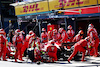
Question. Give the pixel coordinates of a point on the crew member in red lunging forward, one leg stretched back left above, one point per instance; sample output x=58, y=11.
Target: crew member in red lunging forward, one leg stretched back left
x=81, y=47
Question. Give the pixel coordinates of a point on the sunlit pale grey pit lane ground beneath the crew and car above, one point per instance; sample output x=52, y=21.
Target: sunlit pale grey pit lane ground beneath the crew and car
x=91, y=62
